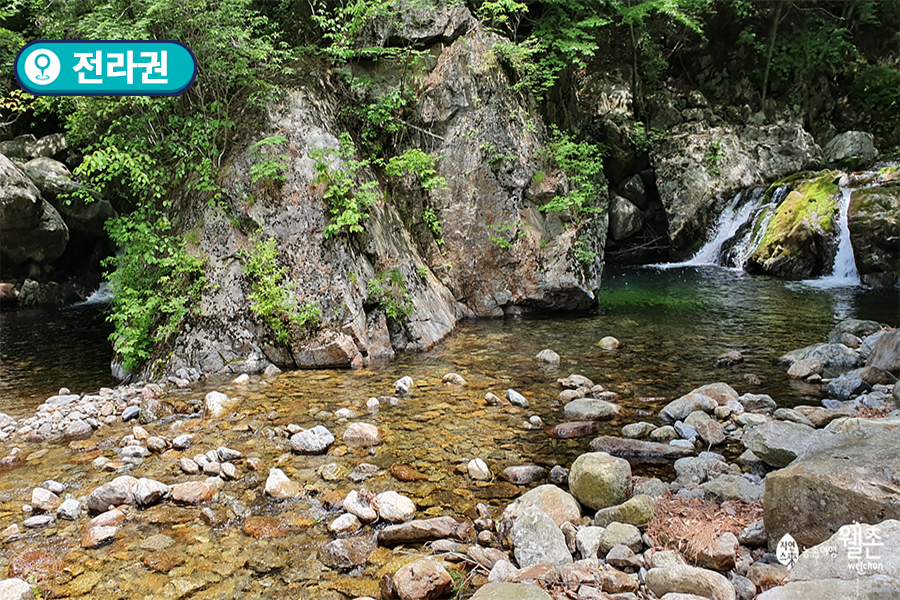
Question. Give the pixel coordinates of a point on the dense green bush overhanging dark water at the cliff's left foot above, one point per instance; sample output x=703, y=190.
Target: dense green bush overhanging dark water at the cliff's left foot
x=154, y=280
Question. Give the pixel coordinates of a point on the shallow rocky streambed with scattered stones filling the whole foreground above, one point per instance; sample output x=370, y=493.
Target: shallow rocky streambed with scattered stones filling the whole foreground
x=313, y=485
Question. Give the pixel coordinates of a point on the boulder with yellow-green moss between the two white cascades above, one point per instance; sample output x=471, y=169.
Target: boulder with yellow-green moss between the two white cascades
x=800, y=240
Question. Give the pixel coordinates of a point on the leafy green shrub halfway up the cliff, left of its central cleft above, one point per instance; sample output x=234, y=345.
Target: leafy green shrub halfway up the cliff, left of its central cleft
x=347, y=202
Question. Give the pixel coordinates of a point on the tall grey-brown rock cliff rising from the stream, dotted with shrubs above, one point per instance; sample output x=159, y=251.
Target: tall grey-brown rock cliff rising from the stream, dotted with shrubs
x=499, y=253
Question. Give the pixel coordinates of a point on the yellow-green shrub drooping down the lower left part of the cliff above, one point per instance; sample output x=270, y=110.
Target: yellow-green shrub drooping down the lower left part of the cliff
x=270, y=298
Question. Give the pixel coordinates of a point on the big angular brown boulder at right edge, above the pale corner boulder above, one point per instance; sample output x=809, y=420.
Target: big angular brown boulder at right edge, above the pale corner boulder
x=852, y=480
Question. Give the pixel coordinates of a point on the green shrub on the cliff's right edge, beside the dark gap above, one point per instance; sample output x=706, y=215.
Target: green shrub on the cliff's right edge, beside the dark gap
x=583, y=165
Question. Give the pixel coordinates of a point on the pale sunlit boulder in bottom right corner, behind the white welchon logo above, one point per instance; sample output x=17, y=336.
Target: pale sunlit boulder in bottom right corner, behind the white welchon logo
x=858, y=561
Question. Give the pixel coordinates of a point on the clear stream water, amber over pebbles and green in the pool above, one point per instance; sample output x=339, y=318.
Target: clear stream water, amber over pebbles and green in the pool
x=672, y=324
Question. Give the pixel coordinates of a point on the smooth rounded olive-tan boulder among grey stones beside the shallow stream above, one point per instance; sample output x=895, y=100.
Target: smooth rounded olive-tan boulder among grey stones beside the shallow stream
x=599, y=480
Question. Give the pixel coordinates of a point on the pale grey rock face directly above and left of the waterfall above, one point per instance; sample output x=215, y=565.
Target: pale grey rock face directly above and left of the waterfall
x=690, y=180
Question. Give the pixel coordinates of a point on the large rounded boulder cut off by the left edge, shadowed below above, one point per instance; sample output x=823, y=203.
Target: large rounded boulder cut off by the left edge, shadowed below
x=32, y=229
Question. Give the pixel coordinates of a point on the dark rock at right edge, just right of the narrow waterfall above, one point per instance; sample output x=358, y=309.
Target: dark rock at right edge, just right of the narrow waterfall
x=874, y=222
